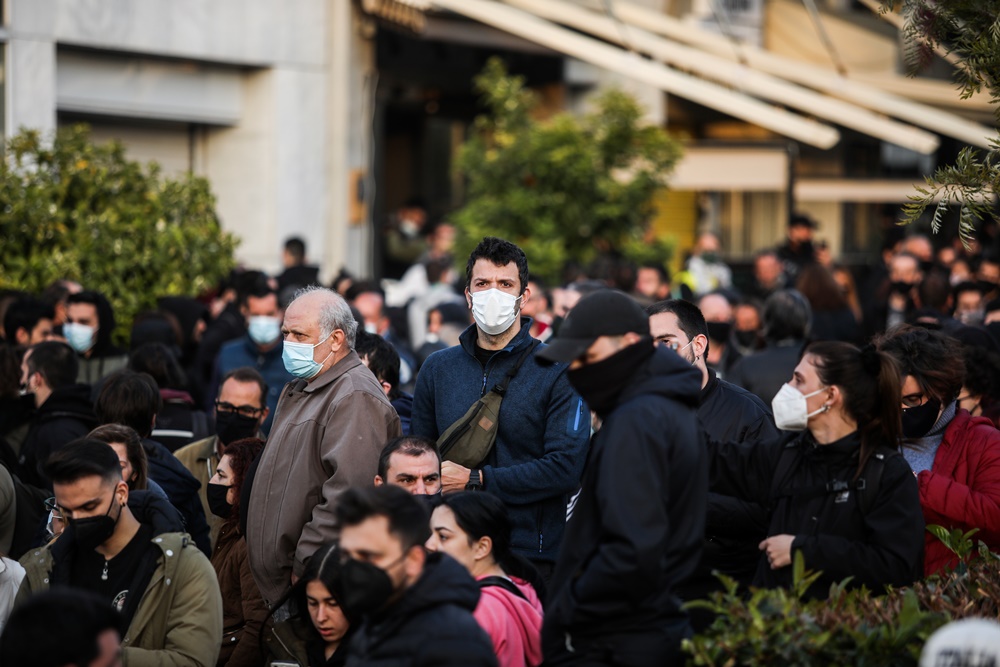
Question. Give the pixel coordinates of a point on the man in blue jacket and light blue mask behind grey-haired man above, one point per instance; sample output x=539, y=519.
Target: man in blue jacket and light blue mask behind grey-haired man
x=259, y=348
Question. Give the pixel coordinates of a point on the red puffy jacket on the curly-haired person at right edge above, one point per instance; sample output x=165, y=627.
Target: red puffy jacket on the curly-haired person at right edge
x=962, y=488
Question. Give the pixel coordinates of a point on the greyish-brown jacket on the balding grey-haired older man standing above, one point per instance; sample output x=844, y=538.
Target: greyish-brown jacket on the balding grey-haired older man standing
x=327, y=436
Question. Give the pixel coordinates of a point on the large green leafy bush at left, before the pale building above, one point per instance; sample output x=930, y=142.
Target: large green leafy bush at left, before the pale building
x=73, y=209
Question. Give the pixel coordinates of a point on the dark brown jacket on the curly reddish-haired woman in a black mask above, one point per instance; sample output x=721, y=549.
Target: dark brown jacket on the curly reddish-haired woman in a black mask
x=243, y=610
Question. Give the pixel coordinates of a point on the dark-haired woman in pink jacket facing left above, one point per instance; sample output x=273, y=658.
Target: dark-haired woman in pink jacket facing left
x=474, y=529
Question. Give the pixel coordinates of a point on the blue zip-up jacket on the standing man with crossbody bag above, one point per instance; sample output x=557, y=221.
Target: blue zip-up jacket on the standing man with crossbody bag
x=542, y=439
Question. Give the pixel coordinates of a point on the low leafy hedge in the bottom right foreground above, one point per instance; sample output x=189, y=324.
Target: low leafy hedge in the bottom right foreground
x=778, y=627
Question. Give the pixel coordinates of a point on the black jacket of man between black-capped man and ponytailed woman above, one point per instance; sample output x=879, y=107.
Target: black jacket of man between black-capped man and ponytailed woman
x=734, y=527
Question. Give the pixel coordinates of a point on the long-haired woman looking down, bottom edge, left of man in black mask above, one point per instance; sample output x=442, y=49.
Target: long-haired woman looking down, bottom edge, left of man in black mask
x=321, y=639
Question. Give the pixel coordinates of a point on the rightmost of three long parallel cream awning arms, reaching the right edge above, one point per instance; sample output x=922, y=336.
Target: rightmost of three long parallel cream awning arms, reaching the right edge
x=811, y=76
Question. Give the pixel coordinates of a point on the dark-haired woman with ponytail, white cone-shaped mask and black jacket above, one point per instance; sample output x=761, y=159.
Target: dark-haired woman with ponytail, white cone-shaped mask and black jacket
x=835, y=487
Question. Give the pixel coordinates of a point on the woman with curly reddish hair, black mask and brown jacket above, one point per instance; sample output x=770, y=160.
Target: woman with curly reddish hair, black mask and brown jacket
x=243, y=609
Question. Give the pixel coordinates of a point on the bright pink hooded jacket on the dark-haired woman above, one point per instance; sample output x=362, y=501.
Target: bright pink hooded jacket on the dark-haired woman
x=513, y=624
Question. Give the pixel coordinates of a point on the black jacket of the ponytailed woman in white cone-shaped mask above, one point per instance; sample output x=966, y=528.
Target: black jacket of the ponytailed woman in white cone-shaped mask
x=878, y=547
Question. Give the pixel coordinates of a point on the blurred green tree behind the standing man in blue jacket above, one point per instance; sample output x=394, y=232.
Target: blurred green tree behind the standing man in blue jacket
x=567, y=188
